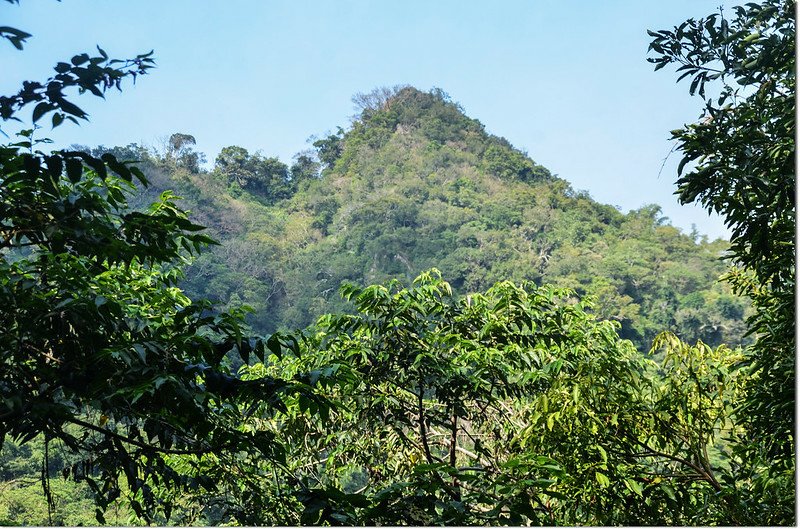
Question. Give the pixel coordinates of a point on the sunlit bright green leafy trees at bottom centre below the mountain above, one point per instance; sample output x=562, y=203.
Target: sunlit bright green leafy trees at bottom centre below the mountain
x=515, y=406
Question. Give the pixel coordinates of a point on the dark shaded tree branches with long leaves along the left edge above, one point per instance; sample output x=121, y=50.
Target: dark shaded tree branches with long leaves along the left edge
x=101, y=353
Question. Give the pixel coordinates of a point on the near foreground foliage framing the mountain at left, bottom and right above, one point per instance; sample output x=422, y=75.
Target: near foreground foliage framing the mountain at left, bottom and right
x=514, y=406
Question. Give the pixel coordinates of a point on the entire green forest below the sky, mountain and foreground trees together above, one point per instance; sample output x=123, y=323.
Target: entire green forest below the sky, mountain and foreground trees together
x=412, y=322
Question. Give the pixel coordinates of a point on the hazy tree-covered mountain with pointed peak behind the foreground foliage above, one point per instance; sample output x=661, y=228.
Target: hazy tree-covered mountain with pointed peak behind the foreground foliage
x=414, y=184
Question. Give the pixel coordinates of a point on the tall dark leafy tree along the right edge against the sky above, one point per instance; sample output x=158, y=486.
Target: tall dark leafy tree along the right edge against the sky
x=739, y=160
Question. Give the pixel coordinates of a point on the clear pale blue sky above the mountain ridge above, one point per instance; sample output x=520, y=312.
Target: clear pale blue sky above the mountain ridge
x=565, y=80
